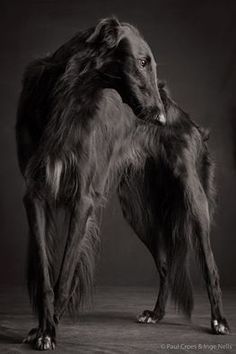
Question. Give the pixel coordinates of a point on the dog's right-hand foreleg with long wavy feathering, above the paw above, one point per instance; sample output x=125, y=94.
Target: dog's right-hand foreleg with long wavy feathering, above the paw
x=75, y=280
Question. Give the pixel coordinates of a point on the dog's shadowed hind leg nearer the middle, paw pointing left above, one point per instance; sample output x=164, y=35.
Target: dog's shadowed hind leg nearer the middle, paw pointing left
x=138, y=214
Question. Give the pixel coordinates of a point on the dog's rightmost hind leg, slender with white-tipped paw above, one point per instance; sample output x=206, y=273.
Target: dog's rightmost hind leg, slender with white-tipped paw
x=201, y=229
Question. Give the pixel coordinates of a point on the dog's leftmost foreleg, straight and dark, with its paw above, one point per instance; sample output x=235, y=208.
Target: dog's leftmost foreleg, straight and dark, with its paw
x=39, y=282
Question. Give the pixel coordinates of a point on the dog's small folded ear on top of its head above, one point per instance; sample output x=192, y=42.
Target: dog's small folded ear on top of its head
x=106, y=32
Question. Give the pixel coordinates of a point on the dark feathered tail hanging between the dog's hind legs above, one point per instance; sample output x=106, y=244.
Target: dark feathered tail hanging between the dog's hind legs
x=178, y=267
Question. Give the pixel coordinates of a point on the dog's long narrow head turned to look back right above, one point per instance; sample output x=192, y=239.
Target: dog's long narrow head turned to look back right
x=127, y=64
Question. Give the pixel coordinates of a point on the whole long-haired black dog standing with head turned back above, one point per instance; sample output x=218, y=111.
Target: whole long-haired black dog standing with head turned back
x=87, y=118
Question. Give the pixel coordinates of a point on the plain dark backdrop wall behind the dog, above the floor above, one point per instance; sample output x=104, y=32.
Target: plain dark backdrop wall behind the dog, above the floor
x=194, y=43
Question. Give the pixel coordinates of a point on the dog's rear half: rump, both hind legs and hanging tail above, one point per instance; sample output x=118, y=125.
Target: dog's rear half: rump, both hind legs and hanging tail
x=170, y=204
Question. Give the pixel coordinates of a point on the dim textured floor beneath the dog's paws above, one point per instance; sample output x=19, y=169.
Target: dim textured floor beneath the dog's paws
x=110, y=327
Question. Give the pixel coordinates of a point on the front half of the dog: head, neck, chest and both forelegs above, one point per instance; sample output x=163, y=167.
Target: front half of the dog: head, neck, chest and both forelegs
x=81, y=121
